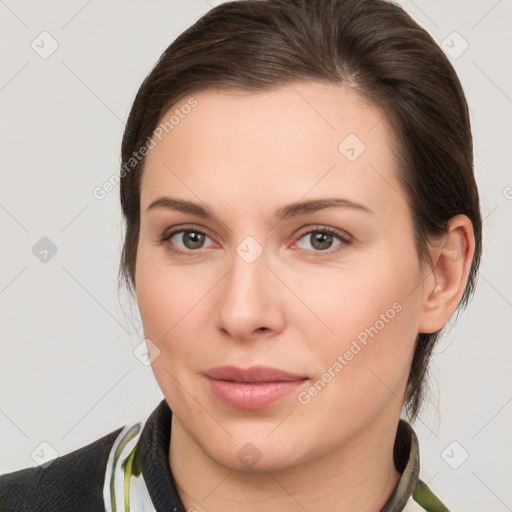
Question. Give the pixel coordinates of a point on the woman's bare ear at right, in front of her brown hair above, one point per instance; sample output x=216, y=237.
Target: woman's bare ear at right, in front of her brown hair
x=451, y=257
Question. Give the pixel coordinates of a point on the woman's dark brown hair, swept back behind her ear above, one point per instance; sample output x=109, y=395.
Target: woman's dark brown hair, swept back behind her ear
x=375, y=48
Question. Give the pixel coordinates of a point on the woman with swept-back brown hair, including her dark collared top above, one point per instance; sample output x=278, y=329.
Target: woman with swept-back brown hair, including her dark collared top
x=302, y=220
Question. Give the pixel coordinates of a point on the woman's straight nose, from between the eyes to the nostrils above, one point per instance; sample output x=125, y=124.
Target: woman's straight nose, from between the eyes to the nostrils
x=250, y=300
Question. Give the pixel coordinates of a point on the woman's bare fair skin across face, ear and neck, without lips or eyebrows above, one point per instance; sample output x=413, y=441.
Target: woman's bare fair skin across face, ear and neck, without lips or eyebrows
x=243, y=155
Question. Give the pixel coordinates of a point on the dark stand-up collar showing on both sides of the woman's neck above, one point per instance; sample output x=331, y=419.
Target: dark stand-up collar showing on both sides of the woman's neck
x=154, y=450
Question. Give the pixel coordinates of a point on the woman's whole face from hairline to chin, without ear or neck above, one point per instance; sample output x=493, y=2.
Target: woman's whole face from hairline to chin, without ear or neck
x=250, y=286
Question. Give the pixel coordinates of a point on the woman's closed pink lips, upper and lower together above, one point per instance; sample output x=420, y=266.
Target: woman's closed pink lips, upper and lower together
x=253, y=388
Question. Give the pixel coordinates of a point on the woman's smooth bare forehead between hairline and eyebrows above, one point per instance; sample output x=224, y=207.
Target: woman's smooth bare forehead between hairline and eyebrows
x=291, y=139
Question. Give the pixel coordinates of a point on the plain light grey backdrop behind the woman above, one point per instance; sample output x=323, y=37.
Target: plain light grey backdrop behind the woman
x=68, y=373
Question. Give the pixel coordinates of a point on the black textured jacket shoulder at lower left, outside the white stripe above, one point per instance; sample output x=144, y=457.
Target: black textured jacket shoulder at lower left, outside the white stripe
x=70, y=482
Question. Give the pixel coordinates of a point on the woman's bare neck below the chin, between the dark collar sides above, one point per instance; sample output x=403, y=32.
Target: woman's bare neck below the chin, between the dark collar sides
x=338, y=480
